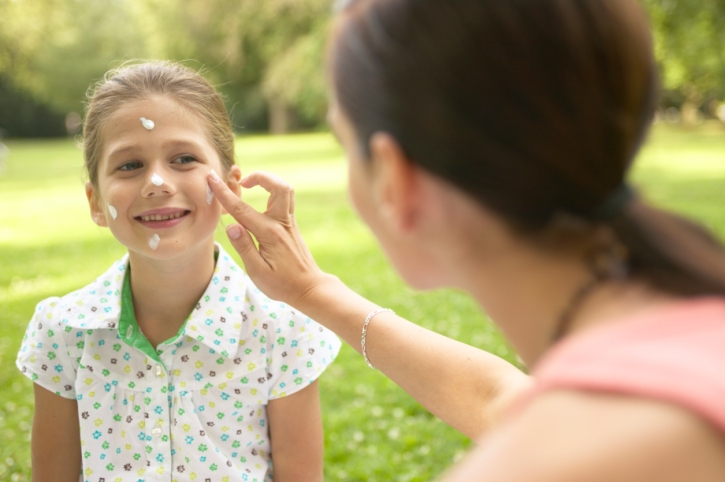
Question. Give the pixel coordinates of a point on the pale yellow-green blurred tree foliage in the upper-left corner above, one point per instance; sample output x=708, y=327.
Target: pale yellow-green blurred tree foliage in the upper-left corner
x=51, y=50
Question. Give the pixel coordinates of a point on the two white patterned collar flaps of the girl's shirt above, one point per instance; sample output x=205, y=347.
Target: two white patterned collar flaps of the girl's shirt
x=216, y=320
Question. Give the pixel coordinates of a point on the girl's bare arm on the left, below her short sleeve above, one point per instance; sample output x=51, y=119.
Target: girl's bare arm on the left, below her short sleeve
x=56, y=439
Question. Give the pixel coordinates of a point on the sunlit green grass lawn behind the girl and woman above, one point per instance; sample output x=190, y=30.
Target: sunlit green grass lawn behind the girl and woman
x=374, y=431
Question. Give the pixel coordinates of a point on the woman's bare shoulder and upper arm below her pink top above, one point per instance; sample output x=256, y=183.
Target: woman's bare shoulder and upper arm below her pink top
x=570, y=436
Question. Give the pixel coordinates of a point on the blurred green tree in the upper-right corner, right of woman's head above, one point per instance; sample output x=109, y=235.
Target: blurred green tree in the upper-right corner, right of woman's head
x=689, y=39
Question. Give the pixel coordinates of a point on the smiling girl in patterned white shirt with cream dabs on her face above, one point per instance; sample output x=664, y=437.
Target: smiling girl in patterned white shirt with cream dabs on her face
x=172, y=365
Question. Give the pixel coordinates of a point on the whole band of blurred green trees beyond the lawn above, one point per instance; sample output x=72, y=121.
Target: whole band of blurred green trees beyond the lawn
x=265, y=56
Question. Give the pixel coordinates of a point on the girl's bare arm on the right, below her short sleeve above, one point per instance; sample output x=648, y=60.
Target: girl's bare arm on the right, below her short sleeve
x=295, y=426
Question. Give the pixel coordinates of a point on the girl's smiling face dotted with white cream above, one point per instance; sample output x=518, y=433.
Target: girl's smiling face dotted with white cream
x=152, y=183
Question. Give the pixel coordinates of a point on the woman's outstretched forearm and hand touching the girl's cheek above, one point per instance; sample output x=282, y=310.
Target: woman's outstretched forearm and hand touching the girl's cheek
x=466, y=387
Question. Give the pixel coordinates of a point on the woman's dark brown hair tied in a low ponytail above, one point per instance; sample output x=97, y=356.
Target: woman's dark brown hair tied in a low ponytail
x=535, y=108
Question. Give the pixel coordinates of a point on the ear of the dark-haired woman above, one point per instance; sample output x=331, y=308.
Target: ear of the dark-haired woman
x=397, y=185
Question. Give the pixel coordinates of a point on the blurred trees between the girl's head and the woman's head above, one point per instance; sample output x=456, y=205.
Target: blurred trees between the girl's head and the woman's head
x=266, y=56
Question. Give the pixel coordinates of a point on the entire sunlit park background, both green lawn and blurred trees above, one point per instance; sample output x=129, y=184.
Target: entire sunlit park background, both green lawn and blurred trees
x=267, y=58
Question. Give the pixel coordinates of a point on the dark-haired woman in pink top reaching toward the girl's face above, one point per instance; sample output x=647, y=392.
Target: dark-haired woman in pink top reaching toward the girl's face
x=488, y=143
